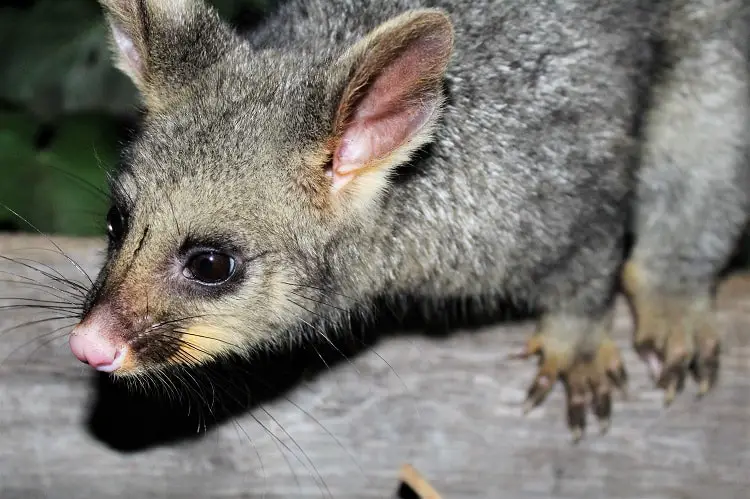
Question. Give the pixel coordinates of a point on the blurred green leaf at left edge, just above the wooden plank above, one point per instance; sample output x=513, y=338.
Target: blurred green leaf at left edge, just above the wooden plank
x=60, y=188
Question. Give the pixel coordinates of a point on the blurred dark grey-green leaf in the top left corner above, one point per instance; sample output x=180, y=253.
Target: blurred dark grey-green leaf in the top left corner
x=56, y=59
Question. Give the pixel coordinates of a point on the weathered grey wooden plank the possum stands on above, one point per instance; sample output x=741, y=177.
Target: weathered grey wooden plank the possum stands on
x=449, y=406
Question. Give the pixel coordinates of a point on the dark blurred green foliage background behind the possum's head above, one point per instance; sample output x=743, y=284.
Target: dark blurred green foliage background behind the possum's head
x=64, y=110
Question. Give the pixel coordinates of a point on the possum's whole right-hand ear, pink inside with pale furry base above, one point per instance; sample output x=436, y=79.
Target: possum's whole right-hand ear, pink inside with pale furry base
x=391, y=100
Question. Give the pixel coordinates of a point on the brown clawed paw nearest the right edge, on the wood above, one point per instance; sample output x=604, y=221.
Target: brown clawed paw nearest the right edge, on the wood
x=675, y=335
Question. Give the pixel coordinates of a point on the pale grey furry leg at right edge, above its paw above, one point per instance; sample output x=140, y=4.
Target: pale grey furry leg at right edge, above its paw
x=693, y=184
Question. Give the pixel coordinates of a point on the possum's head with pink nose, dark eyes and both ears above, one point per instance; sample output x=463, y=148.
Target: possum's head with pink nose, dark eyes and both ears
x=247, y=166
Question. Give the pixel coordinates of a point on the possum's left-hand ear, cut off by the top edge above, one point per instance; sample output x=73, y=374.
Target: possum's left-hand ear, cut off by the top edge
x=163, y=44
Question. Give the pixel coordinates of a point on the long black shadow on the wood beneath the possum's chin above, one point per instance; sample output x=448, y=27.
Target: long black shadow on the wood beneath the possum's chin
x=130, y=416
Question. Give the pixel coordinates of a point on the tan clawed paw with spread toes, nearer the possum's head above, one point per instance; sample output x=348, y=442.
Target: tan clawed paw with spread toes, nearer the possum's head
x=590, y=369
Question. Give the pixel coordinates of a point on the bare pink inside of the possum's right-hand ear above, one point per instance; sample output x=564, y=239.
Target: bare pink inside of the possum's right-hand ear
x=391, y=112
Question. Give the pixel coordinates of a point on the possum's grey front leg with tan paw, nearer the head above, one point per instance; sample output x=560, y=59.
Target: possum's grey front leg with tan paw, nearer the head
x=573, y=345
